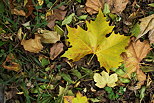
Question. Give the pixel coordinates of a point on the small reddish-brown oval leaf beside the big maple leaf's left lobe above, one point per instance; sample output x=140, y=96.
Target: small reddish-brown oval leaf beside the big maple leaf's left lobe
x=55, y=50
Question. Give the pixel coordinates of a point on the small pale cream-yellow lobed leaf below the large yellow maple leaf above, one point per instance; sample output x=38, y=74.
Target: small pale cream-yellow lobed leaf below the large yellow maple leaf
x=104, y=79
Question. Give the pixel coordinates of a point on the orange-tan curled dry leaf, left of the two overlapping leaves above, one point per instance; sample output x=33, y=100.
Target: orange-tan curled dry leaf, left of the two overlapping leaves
x=32, y=45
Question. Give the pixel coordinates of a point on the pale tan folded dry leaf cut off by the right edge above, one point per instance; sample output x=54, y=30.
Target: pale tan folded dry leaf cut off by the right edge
x=147, y=25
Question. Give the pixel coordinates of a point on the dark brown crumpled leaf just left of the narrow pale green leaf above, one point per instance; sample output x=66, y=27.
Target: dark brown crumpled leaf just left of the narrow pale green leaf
x=56, y=14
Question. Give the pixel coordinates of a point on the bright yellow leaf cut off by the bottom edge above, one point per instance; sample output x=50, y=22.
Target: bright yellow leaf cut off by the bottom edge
x=80, y=98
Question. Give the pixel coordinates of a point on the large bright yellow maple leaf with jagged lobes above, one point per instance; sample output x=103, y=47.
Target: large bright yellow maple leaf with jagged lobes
x=94, y=40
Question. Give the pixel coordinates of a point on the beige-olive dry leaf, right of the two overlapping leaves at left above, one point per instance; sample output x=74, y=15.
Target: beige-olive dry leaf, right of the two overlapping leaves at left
x=49, y=36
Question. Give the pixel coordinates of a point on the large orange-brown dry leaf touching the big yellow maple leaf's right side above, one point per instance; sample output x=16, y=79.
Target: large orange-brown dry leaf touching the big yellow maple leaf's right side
x=136, y=51
